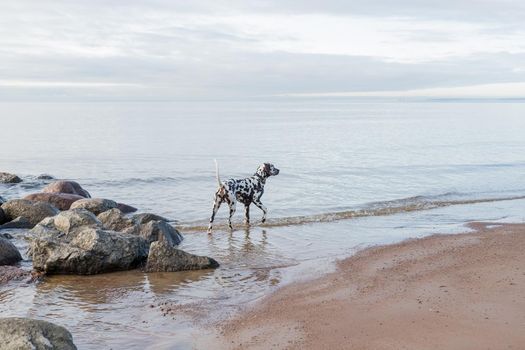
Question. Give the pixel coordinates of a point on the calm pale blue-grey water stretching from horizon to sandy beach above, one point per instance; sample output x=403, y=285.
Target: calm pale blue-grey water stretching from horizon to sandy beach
x=352, y=175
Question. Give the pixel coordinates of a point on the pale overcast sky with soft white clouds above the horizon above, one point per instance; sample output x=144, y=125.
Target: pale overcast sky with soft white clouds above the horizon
x=169, y=50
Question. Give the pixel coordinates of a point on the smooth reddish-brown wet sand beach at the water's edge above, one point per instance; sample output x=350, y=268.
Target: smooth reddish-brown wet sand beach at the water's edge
x=462, y=291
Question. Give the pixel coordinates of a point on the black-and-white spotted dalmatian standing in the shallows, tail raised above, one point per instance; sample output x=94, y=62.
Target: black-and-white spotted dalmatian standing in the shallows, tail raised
x=246, y=191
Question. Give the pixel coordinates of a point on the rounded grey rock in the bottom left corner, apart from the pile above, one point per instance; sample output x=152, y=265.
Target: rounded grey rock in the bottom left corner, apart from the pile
x=27, y=334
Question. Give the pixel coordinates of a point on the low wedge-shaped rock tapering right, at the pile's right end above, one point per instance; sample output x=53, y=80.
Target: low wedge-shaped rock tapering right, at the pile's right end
x=163, y=257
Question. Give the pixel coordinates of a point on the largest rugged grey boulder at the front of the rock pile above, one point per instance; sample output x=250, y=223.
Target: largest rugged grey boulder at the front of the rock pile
x=87, y=251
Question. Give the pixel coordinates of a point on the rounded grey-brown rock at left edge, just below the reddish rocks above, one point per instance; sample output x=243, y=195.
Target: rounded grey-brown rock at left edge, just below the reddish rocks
x=34, y=212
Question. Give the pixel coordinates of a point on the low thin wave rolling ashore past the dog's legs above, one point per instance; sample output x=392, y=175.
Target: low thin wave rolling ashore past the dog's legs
x=404, y=205
